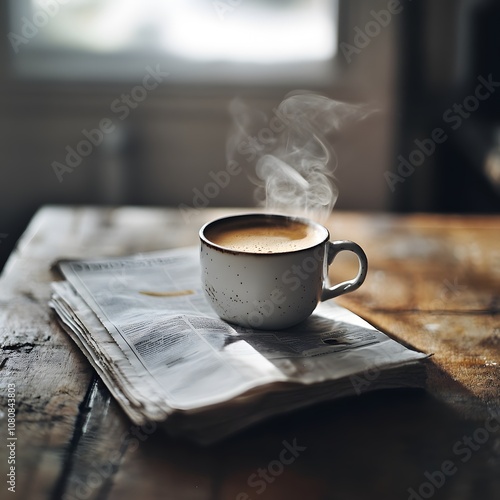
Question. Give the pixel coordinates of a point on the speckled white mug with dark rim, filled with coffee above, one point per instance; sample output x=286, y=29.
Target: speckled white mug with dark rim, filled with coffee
x=268, y=271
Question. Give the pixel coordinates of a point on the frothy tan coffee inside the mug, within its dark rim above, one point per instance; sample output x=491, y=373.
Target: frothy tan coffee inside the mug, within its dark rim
x=265, y=236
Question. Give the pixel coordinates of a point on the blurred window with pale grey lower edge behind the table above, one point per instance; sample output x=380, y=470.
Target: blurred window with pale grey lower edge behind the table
x=198, y=41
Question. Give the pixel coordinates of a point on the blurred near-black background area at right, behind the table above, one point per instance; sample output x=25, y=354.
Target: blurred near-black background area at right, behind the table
x=446, y=51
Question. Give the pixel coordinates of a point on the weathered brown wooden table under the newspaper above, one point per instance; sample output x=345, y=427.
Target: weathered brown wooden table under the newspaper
x=433, y=283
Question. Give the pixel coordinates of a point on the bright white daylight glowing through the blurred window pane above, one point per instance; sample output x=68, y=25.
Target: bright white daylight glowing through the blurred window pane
x=244, y=31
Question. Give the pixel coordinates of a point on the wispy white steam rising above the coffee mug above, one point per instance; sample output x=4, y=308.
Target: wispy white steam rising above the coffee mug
x=291, y=151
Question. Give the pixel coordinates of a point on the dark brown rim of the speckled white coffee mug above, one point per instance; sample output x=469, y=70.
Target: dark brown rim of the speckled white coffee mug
x=262, y=215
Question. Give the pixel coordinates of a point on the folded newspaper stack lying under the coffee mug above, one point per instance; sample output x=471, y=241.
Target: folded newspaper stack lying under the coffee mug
x=145, y=326
